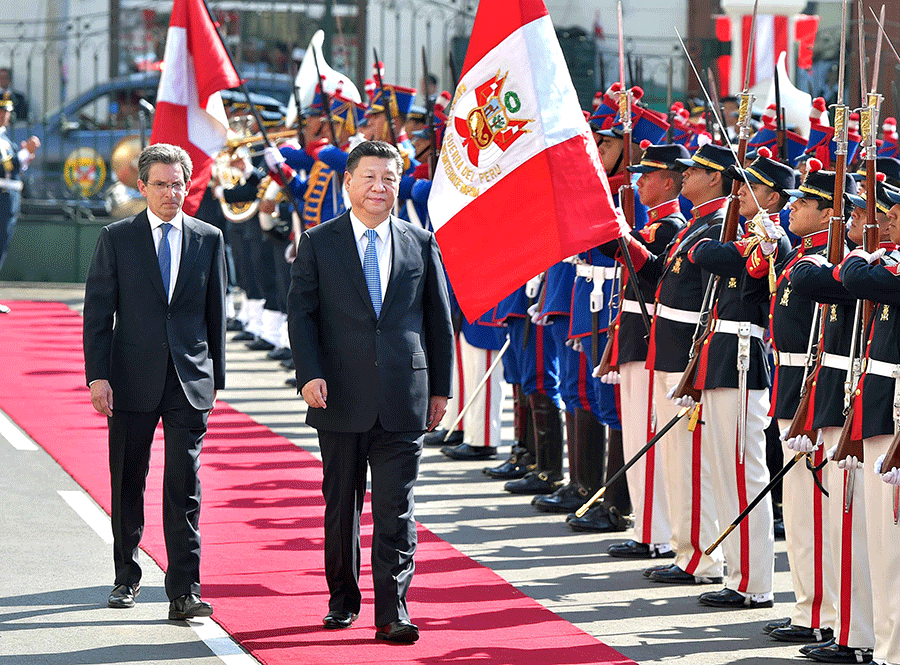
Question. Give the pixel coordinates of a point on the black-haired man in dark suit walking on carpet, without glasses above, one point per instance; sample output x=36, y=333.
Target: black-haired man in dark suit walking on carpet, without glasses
x=370, y=331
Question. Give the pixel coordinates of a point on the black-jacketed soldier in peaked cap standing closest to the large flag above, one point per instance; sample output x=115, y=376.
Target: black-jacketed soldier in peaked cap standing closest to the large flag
x=659, y=186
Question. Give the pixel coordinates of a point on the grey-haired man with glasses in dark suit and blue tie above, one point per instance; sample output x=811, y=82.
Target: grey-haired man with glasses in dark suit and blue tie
x=154, y=337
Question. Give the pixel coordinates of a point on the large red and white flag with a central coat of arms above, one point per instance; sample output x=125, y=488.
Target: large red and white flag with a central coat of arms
x=519, y=184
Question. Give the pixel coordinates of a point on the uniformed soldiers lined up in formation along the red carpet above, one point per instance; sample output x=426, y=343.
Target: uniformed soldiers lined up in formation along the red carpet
x=597, y=351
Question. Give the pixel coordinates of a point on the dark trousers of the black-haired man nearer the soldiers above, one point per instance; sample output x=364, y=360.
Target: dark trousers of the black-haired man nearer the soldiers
x=394, y=460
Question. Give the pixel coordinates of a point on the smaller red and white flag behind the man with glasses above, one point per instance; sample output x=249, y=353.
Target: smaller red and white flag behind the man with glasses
x=189, y=110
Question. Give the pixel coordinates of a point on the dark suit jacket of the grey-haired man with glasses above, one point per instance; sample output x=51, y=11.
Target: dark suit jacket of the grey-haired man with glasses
x=129, y=327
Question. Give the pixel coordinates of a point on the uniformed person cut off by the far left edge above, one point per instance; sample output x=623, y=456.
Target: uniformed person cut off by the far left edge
x=13, y=161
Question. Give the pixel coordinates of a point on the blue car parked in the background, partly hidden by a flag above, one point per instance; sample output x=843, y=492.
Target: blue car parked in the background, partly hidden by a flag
x=74, y=166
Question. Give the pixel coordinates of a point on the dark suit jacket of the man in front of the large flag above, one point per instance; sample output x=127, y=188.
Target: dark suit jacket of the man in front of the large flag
x=385, y=367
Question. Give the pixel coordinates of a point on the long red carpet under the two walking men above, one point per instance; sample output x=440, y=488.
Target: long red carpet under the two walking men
x=262, y=530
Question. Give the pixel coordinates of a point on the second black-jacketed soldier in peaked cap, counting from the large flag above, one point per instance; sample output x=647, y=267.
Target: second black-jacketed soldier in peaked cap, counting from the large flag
x=679, y=298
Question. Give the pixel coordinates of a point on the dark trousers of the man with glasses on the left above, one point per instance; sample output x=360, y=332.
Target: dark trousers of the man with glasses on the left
x=130, y=438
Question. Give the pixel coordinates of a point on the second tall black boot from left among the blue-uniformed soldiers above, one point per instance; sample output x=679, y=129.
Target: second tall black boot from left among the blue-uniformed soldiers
x=547, y=477
